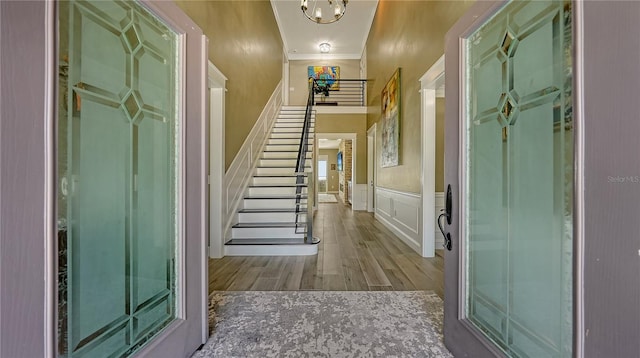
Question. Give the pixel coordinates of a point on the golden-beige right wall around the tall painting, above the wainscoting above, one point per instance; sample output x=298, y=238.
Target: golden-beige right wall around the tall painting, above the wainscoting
x=409, y=35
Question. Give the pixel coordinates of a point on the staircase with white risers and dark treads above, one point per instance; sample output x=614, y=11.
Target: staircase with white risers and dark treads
x=273, y=216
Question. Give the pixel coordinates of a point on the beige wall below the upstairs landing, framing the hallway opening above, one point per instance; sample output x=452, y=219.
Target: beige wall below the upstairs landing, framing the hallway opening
x=348, y=123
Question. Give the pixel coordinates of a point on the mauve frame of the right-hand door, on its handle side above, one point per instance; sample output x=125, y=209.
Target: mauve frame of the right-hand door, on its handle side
x=460, y=336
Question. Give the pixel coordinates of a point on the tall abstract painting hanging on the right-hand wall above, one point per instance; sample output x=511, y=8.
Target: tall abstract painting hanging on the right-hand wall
x=390, y=155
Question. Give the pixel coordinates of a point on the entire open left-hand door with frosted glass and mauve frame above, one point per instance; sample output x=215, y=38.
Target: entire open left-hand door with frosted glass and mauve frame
x=131, y=264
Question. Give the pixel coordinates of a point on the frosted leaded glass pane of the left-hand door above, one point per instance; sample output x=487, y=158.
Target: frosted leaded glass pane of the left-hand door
x=118, y=170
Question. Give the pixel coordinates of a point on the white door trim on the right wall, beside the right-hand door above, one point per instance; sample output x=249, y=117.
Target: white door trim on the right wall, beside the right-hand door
x=430, y=82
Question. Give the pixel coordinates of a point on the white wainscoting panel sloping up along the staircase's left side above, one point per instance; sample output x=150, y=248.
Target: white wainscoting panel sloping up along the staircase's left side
x=240, y=172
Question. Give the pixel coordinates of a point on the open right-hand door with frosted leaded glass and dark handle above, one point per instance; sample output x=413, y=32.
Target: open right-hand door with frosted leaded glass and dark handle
x=509, y=155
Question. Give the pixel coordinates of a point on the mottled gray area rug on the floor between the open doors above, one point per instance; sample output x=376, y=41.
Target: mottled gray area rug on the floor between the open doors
x=325, y=324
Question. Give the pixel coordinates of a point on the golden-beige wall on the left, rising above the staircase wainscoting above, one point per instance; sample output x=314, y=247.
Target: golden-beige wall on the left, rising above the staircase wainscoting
x=245, y=44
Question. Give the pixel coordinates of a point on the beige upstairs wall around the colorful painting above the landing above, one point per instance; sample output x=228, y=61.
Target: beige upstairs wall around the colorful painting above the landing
x=298, y=85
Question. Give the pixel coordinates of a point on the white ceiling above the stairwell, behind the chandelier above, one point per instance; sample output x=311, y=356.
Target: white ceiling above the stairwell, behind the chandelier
x=301, y=36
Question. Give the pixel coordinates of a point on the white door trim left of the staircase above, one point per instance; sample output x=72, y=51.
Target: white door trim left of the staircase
x=217, y=89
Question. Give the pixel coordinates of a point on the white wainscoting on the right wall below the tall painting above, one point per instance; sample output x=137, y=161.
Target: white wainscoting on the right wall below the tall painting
x=400, y=212
